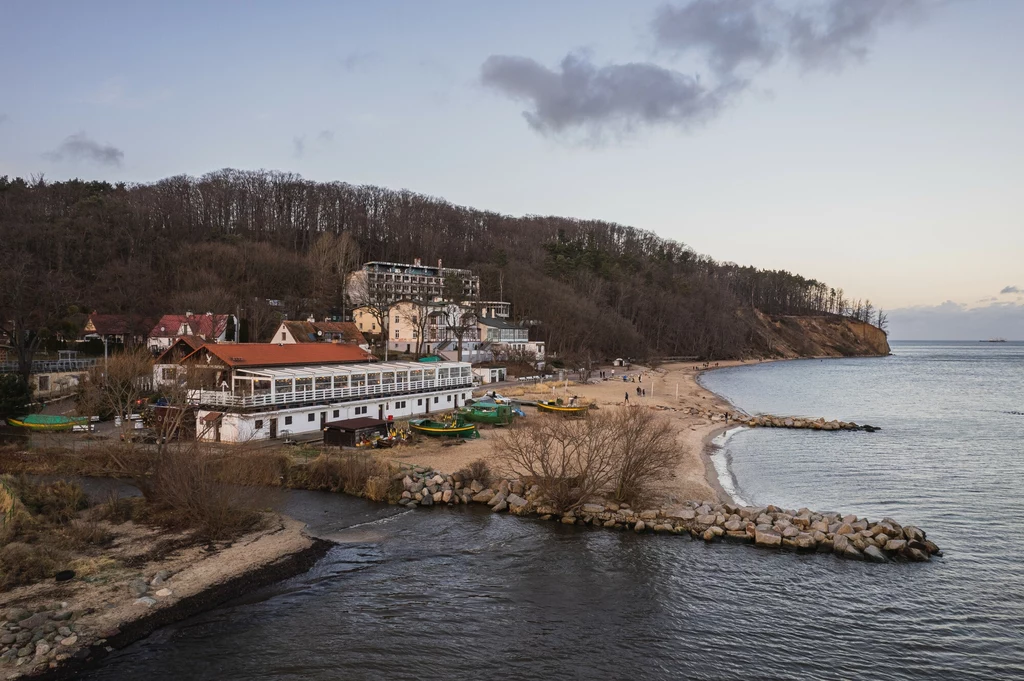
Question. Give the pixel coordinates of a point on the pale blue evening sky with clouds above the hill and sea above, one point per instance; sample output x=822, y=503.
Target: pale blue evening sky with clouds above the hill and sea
x=874, y=145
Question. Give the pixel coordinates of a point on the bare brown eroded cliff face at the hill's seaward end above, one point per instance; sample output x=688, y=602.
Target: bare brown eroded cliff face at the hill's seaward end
x=785, y=336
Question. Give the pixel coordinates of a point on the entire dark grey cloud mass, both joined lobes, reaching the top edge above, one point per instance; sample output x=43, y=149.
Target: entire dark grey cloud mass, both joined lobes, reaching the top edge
x=738, y=38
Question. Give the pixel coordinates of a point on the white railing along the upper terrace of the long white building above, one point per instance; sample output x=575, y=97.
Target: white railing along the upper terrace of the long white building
x=226, y=399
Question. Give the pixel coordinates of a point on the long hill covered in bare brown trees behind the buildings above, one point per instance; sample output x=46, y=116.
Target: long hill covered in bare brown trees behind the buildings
x=231, y=240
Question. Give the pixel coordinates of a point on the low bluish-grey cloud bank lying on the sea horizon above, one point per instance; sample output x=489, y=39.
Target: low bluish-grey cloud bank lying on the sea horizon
x=958, y=322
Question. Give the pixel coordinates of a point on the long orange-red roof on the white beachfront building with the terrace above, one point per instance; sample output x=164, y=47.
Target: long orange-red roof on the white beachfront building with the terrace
x=269, y=355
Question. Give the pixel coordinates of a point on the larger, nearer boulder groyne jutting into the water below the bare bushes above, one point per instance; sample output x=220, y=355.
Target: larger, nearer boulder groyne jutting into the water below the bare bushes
x=770, y=527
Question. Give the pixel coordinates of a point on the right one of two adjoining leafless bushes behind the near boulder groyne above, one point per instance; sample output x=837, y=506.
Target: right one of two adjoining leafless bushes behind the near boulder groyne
x=646, y=449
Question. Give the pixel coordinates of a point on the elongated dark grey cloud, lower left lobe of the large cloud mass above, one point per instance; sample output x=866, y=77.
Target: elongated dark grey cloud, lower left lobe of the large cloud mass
x=582, y=95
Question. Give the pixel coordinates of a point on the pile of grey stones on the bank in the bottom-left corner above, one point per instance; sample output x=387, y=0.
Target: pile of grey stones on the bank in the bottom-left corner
x=42, y=639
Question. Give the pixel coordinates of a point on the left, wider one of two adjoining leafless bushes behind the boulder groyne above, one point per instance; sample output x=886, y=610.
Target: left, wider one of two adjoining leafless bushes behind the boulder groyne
x=572, y=460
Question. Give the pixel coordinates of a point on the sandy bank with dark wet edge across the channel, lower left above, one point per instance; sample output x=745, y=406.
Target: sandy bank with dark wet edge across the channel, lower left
x=110, y=615
